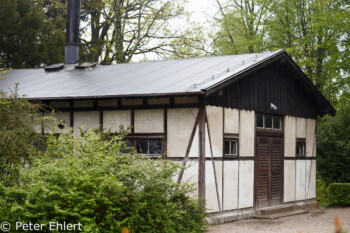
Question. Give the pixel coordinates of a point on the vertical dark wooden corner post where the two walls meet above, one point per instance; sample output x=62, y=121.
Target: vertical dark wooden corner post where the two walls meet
x=201, y=159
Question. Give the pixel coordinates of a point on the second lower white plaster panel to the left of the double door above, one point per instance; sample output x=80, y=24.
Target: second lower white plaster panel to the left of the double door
x=230, y=198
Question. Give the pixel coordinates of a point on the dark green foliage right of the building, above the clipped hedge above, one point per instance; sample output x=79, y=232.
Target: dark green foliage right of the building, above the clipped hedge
x=333, y=146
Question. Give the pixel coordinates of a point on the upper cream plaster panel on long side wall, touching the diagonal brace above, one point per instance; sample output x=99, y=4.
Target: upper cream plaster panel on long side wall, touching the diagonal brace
x=180, y=125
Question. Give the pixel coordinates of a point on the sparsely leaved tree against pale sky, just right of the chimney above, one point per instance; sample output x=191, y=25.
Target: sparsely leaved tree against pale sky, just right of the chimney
x=121, y=29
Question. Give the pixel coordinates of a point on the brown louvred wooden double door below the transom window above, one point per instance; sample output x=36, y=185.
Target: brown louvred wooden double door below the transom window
x=268, y=170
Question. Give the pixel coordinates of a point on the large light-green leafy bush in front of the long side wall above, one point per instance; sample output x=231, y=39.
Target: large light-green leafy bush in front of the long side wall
x=84, y=180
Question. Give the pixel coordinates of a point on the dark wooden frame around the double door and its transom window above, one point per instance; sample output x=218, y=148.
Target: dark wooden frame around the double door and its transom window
x=269, y=133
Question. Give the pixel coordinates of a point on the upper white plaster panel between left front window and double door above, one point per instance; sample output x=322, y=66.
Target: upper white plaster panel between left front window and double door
x=247, y=133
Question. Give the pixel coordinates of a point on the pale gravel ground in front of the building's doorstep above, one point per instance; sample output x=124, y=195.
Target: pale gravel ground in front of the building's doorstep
x=317, y=221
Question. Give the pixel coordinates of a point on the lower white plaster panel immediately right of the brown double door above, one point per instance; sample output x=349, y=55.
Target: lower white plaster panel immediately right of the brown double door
x=289, y=181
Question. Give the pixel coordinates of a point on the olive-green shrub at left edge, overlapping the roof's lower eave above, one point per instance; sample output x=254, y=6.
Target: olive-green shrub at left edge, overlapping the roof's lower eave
x=18, y=138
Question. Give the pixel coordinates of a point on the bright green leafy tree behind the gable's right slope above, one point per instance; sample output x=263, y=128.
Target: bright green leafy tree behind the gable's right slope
x=311, y=31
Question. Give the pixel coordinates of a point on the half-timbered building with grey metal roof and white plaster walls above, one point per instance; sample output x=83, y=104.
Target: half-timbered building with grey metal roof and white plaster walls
x=244, y=125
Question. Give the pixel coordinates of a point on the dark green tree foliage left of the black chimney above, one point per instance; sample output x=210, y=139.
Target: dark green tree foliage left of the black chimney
x=27, y=37
